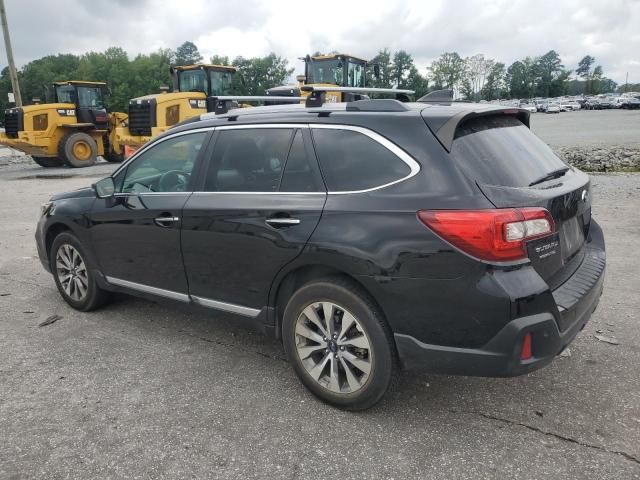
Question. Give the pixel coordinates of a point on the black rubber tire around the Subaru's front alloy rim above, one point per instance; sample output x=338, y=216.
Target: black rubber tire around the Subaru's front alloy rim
x=95, y=296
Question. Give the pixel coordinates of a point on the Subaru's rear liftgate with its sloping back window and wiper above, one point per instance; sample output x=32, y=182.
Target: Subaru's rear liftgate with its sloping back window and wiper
x=514, y=168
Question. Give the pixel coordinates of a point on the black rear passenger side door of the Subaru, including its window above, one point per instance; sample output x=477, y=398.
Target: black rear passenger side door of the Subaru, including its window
x=259, y=202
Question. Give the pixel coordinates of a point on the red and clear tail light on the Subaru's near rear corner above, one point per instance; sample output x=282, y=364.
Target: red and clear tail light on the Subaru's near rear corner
x=492, y=235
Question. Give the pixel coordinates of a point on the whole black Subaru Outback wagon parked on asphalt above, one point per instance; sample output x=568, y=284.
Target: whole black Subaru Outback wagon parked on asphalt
x=367, y=236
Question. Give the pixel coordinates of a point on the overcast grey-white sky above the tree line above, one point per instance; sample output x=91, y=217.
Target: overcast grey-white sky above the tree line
x=506, y=30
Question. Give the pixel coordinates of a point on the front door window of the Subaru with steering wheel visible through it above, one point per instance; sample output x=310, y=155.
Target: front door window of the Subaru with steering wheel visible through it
x=165, y=167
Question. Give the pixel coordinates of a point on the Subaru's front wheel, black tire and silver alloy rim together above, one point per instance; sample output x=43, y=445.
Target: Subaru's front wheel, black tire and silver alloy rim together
x=74, y=274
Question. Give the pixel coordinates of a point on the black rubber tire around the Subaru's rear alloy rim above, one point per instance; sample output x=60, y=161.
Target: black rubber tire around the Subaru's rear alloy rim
x=383, y=358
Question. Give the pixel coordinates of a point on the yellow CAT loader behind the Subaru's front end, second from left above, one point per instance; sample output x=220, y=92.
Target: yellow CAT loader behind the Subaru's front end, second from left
x=153, y=114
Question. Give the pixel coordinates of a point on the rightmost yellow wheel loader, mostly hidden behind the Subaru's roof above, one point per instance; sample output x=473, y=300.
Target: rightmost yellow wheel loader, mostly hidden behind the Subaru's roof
x=337, y=69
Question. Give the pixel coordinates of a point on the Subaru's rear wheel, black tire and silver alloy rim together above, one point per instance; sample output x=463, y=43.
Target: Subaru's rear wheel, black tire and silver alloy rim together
x=339, y=344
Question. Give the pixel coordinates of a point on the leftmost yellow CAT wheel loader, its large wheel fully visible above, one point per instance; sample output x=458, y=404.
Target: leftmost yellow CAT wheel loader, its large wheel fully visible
x=73, y=130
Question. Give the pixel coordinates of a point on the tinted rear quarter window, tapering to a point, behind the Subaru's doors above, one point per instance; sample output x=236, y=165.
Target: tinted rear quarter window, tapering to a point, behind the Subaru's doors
x=352, y=161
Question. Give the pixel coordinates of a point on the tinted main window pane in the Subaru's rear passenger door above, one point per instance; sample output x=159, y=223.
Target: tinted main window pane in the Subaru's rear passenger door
x=248, y=160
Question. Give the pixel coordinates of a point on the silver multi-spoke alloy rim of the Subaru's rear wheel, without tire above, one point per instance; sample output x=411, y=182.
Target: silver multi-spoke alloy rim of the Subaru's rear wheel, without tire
x=333, y=347
